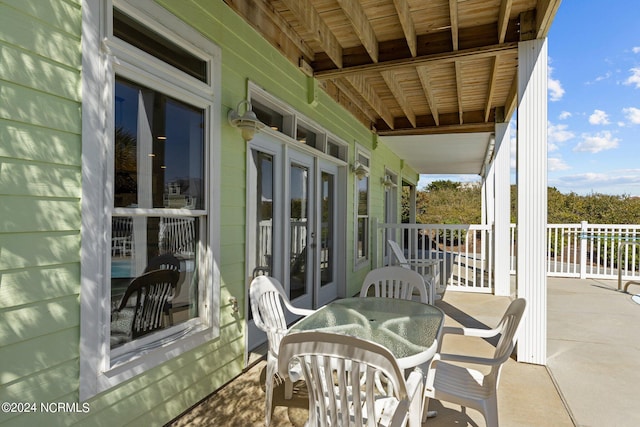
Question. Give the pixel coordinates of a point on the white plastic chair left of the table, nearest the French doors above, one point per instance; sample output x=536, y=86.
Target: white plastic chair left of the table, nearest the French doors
x=267, y=296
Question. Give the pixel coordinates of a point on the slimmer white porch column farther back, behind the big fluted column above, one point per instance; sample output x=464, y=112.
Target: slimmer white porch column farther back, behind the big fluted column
x=502, y=199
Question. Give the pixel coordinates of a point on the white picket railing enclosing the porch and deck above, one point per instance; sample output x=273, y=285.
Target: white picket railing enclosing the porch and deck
x=581, y=250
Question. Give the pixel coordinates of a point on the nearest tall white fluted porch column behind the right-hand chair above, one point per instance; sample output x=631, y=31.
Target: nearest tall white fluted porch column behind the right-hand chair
x=532, y=198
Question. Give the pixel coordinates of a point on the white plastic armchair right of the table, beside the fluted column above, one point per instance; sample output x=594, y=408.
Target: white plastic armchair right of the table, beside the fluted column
x=469, y=387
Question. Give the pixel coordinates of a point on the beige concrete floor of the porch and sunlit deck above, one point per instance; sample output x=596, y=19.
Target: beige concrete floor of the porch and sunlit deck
x=591, y=378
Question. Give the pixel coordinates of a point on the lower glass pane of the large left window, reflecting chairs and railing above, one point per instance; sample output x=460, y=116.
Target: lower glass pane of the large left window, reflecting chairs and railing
x=143, y=244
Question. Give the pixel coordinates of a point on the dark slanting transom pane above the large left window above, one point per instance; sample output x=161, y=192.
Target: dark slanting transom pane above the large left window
x=149, y=41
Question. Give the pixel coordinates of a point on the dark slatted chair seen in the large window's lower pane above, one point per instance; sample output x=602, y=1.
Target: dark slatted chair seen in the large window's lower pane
x=141, y=309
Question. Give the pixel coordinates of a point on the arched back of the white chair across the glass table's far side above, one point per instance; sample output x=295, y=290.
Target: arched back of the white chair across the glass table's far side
x=395, y=282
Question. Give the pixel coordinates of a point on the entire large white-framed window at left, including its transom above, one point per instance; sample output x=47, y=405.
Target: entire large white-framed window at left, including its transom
x=151, y=159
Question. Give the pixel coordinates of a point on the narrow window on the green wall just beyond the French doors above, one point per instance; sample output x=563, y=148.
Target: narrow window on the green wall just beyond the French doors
x=362, y=190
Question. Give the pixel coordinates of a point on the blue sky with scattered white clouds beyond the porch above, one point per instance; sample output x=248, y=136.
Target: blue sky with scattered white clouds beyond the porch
x=594, y=99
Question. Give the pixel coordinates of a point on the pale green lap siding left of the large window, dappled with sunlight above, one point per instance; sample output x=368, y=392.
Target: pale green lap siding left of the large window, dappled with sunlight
x=40, y=185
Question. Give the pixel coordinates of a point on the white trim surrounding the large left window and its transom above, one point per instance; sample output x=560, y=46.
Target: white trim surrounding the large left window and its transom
x=96, y=372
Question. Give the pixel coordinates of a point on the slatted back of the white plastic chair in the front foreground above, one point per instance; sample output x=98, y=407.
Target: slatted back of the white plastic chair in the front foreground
x=340, y=372
